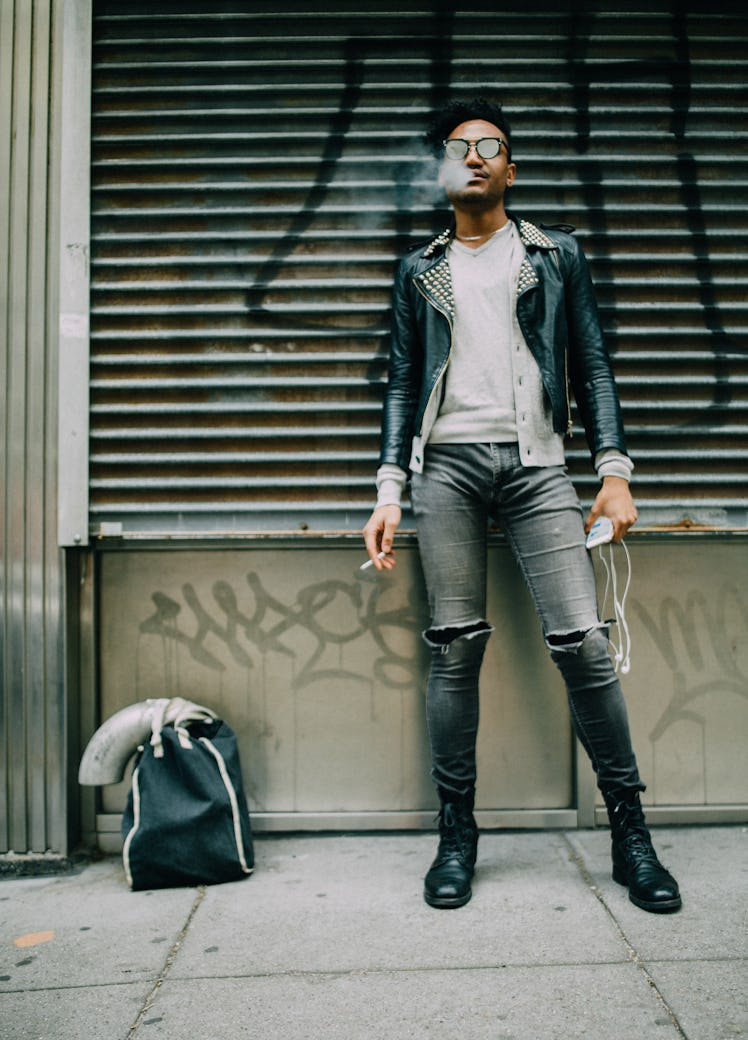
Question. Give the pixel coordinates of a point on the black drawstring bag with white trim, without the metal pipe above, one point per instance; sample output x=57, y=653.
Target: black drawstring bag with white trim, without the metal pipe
x=187, y=821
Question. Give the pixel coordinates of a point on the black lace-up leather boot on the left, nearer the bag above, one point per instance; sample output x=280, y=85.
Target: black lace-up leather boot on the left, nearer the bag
x=448, y=883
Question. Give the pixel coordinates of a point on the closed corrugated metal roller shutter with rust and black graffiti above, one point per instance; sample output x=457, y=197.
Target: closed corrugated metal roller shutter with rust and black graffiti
x=256, y=173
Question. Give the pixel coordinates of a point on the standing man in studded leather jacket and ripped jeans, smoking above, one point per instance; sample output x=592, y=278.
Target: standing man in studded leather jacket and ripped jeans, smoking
x=493, y=322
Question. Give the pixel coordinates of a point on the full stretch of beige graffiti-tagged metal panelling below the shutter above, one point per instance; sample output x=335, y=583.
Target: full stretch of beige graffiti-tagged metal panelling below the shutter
x=322, y=672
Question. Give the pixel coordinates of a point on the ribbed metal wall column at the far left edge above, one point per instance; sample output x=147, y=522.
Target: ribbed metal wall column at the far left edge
x=33, y=721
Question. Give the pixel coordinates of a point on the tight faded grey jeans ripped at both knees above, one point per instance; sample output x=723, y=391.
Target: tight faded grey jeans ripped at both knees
x=463, y=487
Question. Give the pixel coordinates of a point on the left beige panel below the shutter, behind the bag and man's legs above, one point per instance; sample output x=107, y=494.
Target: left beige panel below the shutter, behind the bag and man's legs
x=321, y=670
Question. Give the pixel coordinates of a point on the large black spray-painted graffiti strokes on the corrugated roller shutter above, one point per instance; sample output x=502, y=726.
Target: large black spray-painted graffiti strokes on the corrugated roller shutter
x=668, y=62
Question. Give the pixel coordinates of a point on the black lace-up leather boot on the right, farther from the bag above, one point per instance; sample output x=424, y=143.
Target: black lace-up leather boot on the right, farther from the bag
x=635, y=863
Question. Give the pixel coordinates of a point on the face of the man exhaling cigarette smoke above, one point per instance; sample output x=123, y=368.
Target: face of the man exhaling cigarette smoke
x=474, y=180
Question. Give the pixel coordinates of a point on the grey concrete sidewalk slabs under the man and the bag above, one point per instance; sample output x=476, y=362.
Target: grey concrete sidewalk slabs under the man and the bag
x=331, y=939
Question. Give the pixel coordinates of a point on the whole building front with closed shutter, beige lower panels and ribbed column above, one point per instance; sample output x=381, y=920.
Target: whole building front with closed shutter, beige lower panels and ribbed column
x=202, y=209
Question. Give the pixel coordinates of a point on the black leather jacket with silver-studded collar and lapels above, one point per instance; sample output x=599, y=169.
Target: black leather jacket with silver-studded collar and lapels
x=558, y=316
